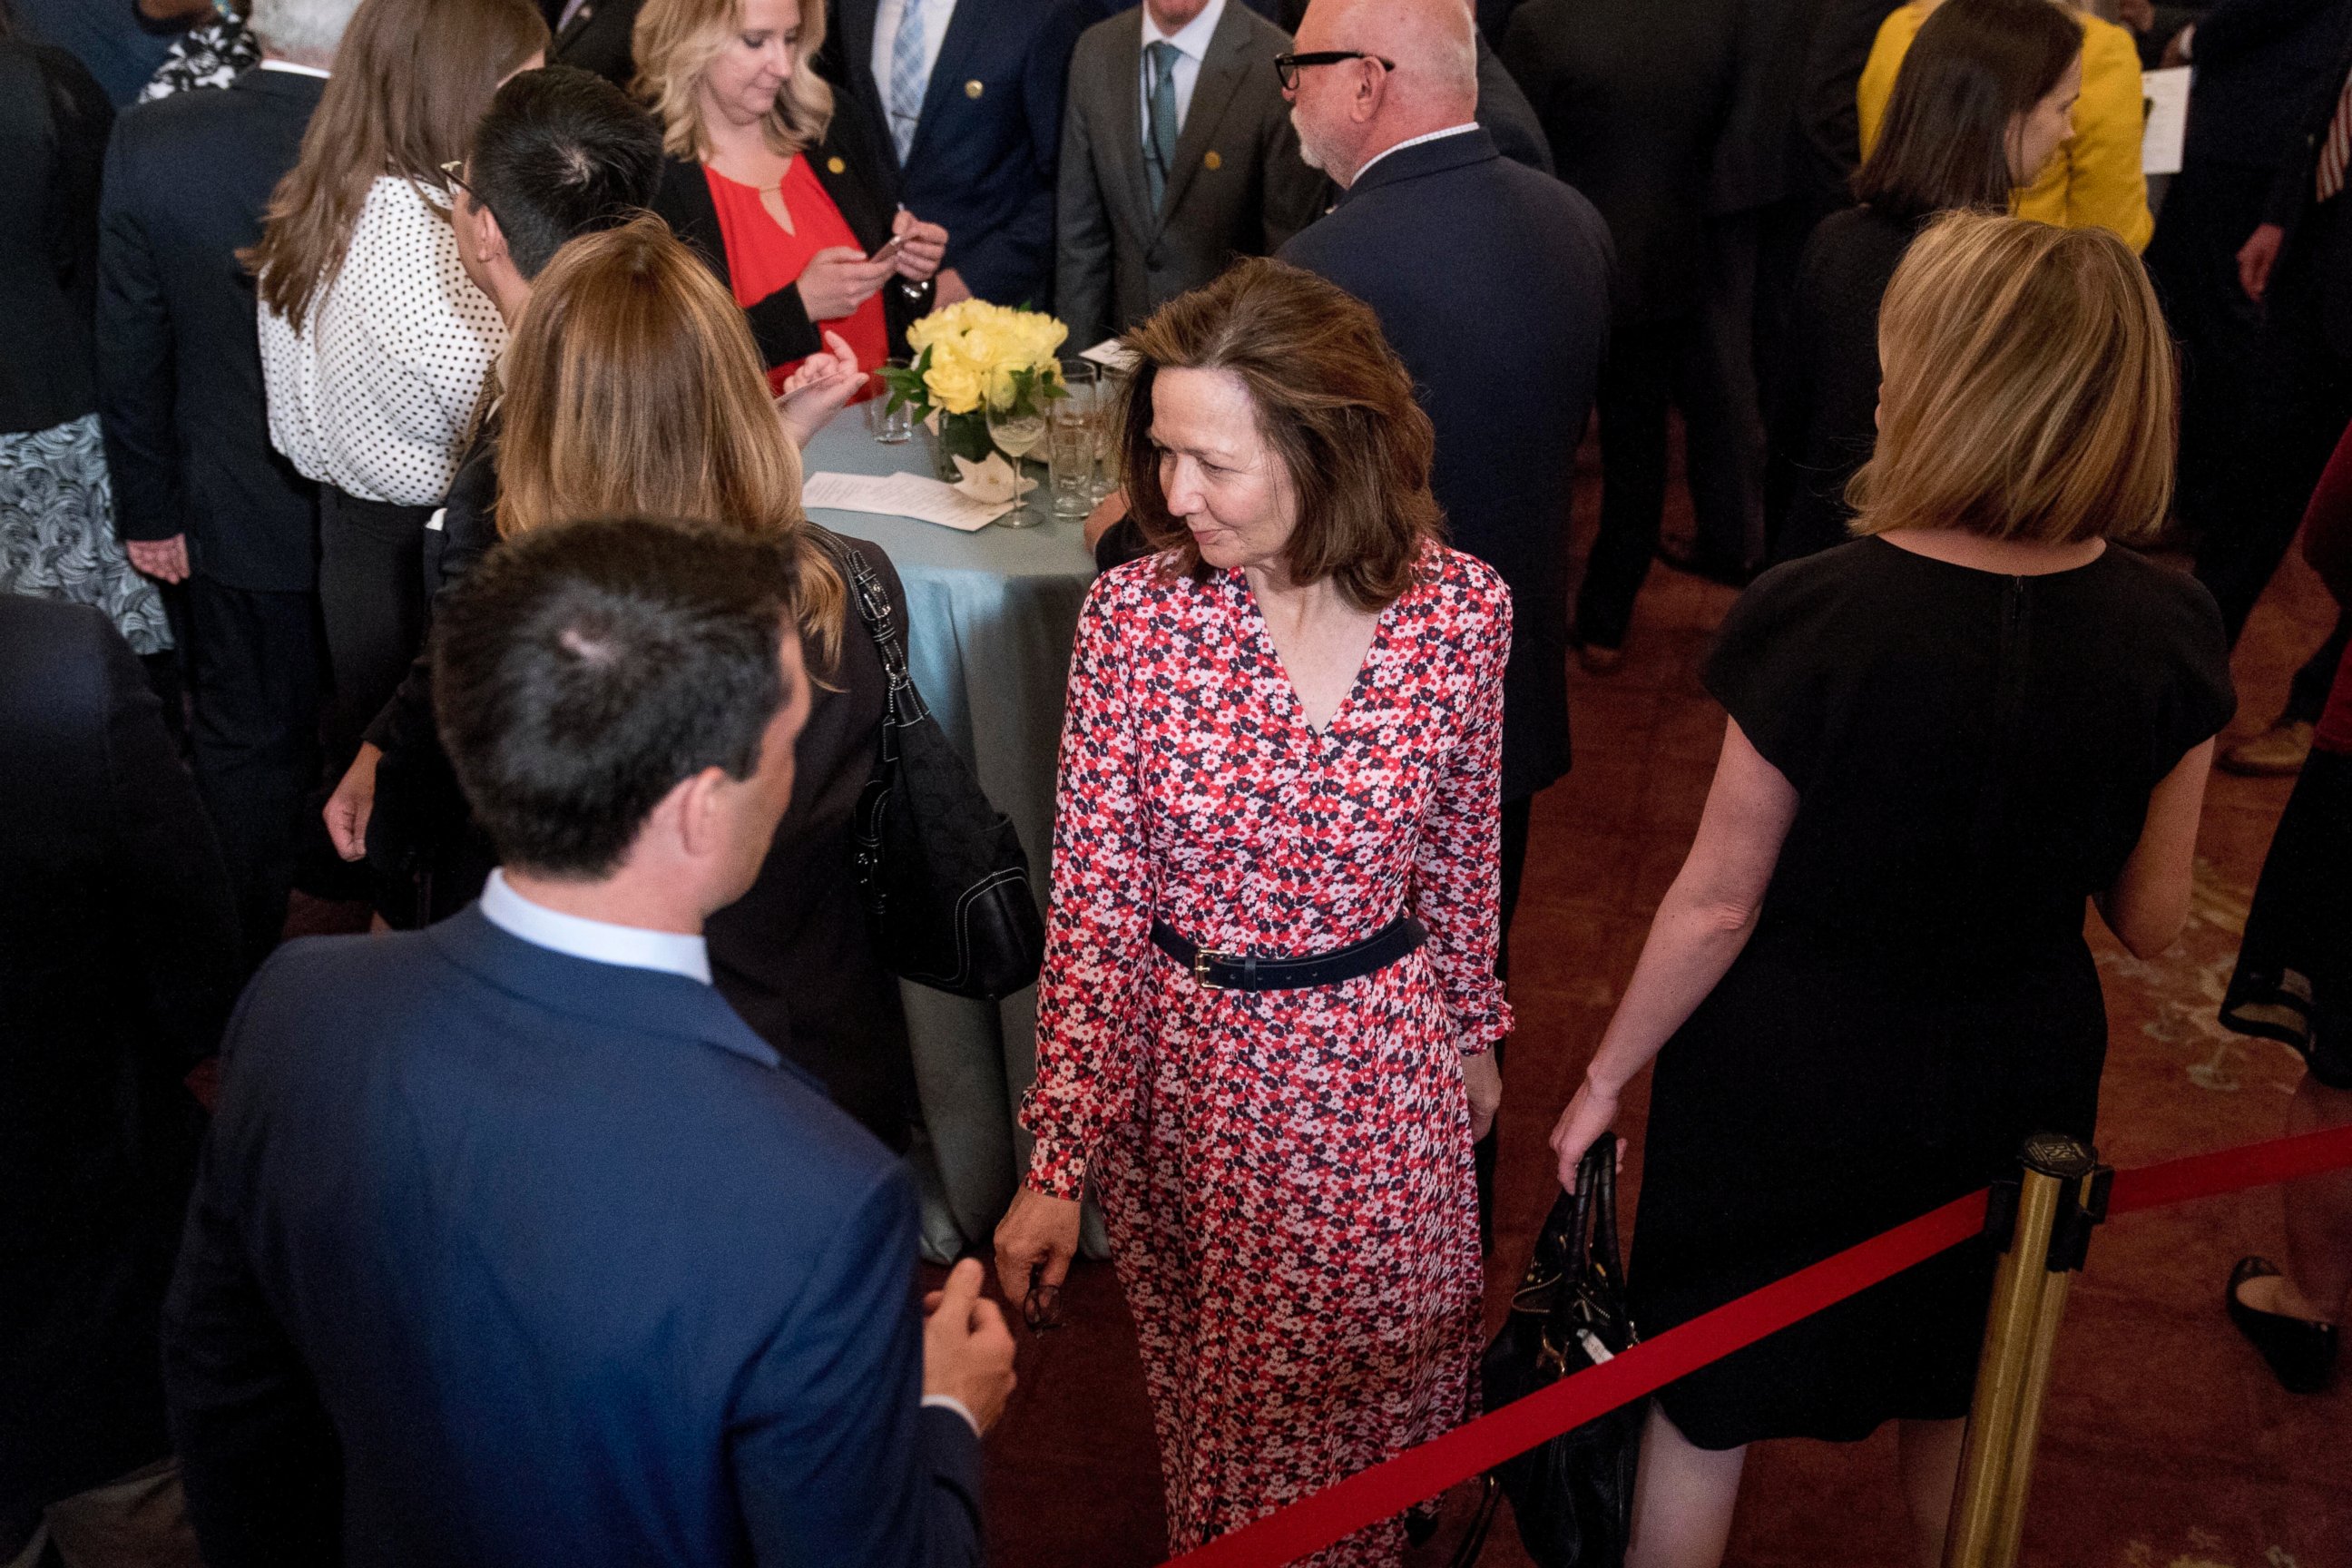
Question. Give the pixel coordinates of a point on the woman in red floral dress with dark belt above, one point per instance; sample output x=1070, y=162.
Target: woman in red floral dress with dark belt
x=1281, y=749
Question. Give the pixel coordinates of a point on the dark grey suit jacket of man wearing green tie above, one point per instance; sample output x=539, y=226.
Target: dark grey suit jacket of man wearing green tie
x=1238, y=187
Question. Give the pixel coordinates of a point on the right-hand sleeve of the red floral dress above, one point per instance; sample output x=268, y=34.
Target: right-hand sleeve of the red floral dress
x=1457, y=869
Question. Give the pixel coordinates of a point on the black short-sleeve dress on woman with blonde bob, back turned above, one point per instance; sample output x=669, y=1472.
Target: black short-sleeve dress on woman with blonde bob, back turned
x=1972, y=758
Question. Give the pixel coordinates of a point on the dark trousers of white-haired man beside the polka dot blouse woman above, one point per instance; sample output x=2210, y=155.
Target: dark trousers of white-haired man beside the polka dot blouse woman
x=255, y=678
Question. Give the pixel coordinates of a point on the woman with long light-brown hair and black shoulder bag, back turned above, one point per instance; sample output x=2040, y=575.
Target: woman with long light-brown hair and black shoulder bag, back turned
x=634, y=389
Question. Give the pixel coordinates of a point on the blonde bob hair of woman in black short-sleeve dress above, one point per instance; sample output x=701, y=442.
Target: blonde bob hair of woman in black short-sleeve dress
x=2029, y=389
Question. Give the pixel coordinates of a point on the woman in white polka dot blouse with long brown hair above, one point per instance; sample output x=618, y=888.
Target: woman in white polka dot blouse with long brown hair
x=375, y=344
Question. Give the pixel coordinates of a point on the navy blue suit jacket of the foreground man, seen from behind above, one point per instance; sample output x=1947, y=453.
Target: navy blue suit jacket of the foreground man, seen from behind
x=502, y=1257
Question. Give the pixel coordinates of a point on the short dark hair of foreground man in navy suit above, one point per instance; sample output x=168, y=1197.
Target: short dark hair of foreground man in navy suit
x=582, y=671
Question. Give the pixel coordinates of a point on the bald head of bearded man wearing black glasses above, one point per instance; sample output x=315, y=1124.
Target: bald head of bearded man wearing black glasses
x=1356, y=109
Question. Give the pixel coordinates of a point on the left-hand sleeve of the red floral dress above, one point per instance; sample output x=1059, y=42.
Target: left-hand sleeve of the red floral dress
x=1100, y=923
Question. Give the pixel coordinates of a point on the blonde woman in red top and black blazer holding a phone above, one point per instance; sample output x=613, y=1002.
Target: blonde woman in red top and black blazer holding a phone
x=782, y=199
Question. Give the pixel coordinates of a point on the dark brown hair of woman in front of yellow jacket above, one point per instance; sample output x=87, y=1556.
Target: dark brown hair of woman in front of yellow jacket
x=1970, y=74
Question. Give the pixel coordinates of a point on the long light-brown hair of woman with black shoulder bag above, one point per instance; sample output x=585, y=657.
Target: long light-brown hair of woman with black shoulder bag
x=634, y=387
